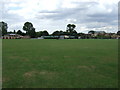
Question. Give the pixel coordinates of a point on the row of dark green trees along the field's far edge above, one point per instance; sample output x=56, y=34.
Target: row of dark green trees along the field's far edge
x=30, y=30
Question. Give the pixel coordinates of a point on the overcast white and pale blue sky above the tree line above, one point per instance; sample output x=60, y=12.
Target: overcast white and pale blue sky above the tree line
x=52, y=15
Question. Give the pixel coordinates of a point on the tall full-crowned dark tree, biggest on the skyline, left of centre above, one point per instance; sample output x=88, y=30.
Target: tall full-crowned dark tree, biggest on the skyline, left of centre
x=30, y=30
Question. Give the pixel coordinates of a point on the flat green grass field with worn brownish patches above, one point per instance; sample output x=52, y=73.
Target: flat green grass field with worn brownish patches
x=60, y=63
